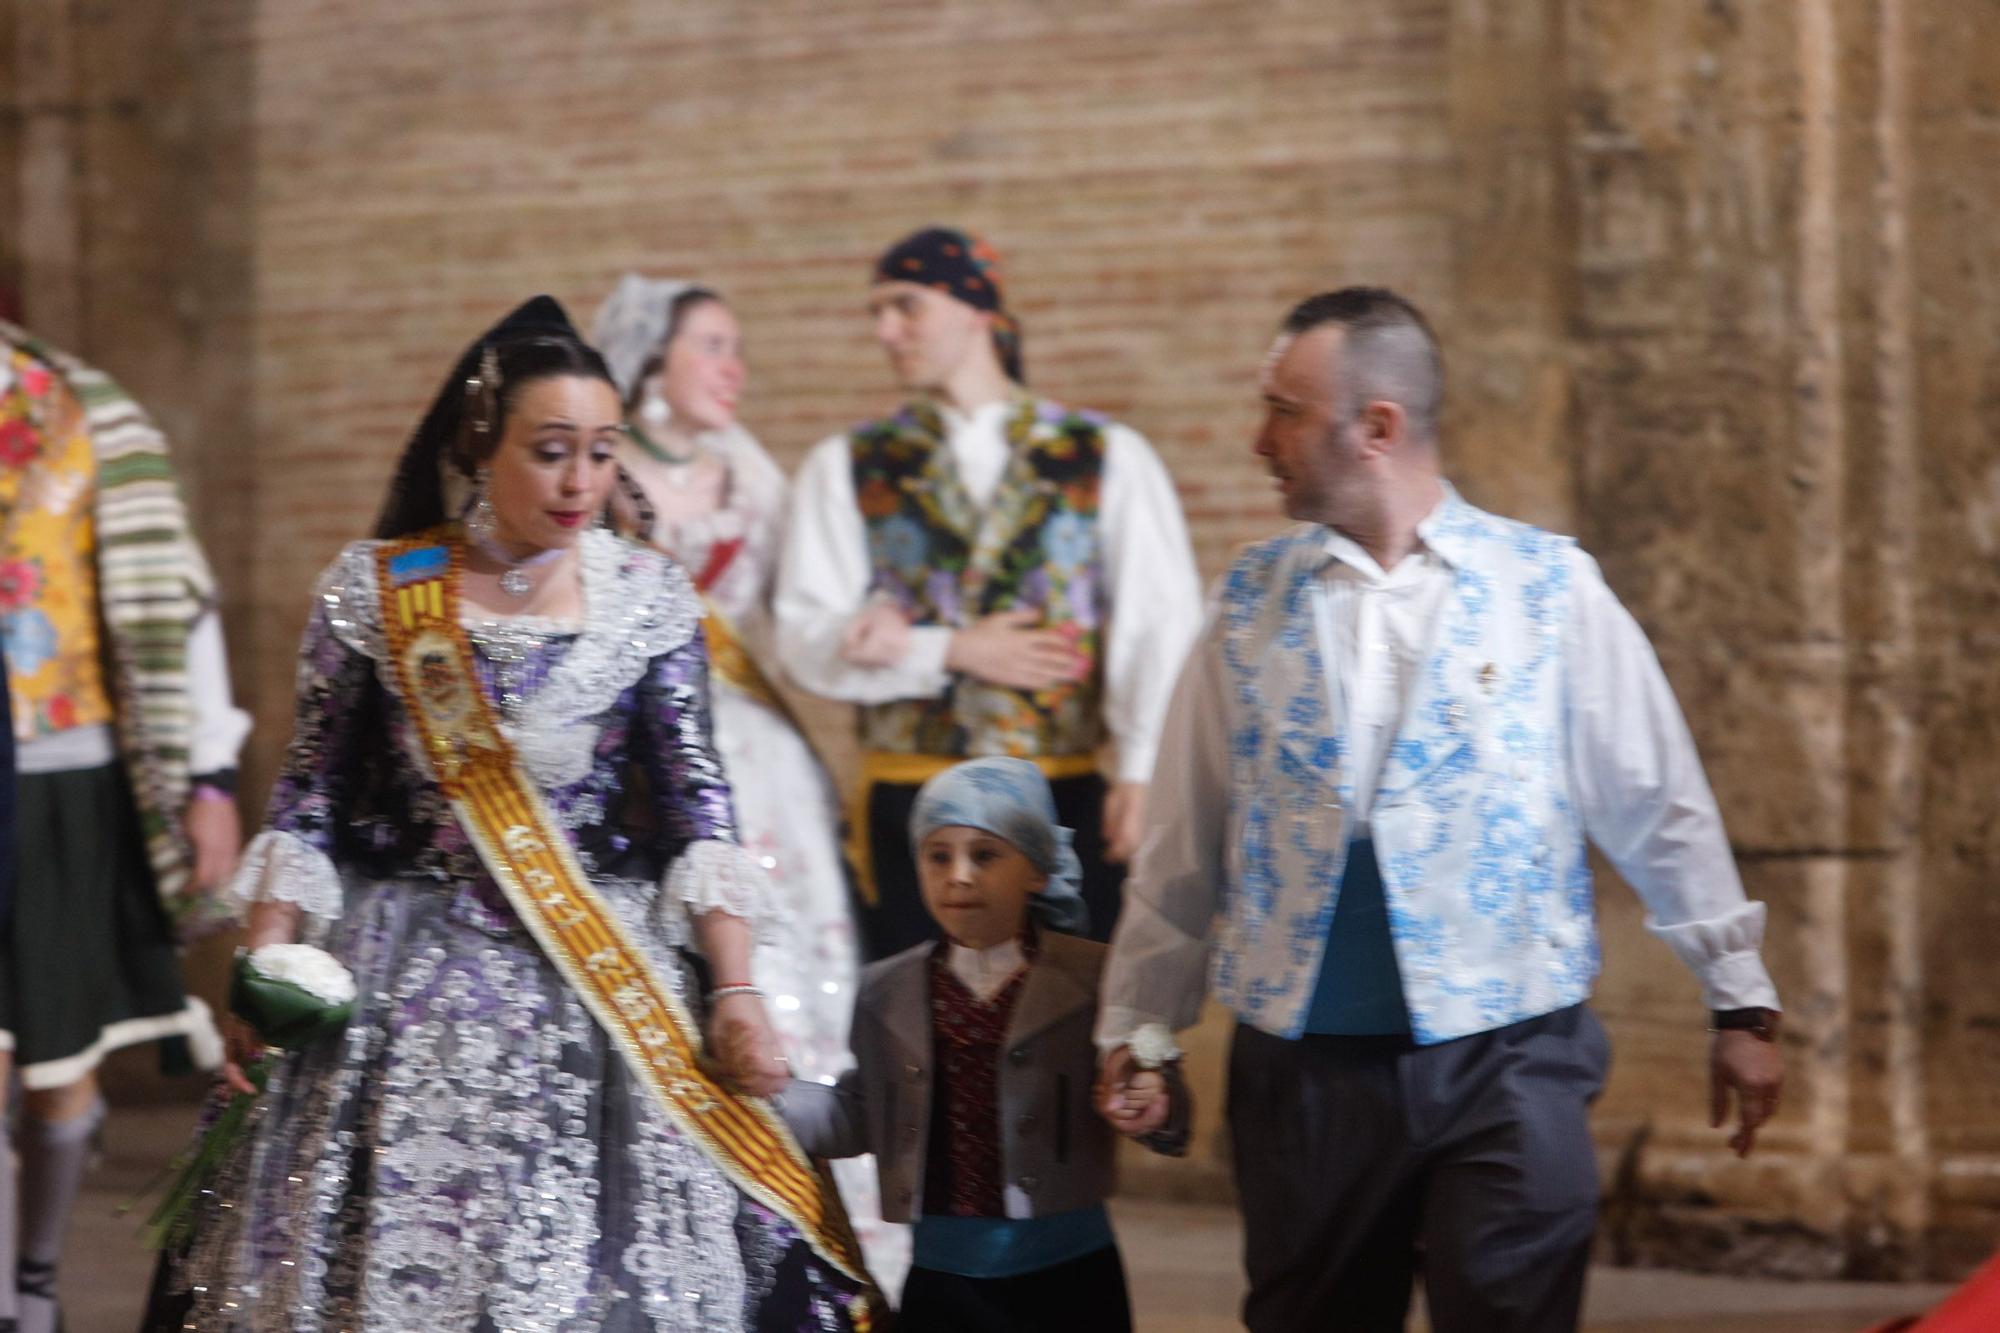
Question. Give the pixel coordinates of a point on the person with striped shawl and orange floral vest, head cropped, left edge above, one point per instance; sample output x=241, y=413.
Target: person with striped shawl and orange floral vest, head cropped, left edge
x=125, y=746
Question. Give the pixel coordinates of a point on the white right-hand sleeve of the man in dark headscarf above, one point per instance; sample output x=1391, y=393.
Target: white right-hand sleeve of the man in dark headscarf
x=1155, y=597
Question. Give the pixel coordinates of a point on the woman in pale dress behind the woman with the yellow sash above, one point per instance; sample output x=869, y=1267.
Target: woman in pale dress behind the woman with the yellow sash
x=711, y=497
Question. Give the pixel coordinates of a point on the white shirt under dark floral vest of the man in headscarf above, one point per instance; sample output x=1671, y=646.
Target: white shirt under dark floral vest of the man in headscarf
x=1149, y=567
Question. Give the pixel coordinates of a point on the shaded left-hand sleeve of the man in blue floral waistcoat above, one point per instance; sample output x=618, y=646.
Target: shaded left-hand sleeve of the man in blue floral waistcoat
x=1159, y=962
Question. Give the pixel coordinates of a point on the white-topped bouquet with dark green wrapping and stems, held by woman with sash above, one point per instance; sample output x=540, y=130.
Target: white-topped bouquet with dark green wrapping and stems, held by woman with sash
x=295, y=996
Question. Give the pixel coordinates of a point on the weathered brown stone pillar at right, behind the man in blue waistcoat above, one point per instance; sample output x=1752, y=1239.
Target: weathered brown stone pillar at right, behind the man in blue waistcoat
x=1785, y=357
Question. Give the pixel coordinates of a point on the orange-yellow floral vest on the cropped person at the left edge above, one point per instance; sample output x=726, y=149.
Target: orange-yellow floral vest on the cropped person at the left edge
x=49, y=571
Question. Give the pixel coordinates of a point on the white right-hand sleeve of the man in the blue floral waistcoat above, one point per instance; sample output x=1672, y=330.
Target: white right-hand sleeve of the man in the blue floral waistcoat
x=1647, y=802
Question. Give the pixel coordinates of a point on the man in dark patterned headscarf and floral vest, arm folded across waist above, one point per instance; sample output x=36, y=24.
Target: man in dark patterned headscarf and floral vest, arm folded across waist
x=985, y=573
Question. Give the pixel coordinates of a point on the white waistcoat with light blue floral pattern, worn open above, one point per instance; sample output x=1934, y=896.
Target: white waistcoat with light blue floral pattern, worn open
x=1475, y=818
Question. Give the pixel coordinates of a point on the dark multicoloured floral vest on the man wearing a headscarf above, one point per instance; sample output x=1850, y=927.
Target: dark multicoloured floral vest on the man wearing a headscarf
x=945, y=561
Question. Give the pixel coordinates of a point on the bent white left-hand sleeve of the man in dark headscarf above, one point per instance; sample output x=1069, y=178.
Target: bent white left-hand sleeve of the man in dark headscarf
x=823, y=583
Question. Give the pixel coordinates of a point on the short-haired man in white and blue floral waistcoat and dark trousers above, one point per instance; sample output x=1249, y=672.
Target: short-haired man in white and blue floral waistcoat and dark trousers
x=1367, y=838
